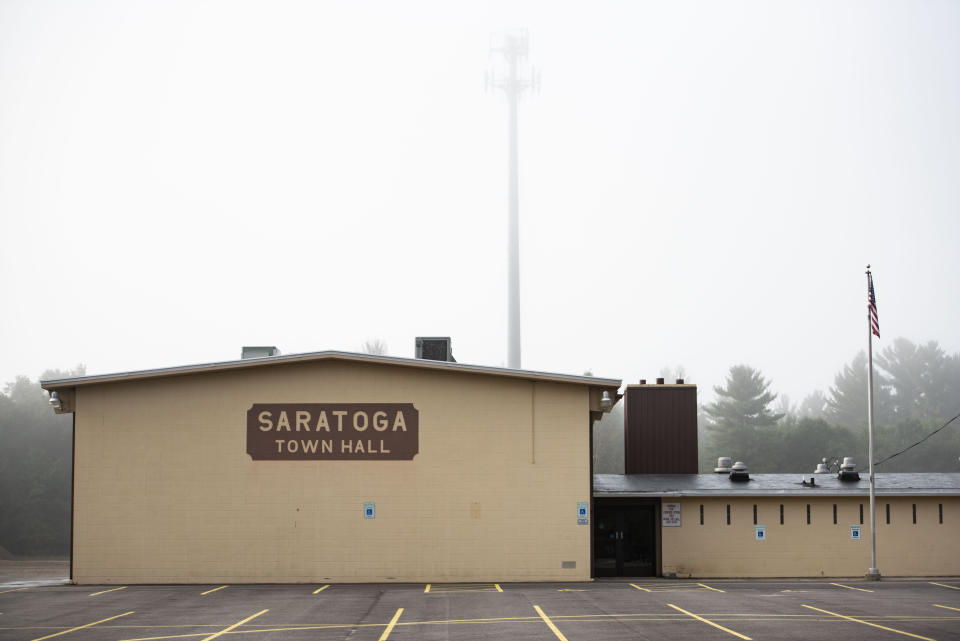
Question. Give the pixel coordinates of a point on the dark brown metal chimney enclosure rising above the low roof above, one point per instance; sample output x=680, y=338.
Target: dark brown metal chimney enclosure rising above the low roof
x=660, y=429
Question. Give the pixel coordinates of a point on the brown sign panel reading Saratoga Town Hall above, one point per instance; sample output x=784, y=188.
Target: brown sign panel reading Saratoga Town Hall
x=332, y=431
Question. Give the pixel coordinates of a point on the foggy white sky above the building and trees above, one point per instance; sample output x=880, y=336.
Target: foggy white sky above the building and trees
x=702, y=183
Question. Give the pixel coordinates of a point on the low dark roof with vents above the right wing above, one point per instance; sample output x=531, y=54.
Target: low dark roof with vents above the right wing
x=720, y=485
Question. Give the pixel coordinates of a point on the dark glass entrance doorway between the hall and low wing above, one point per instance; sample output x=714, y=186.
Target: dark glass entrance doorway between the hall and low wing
x=625, y=540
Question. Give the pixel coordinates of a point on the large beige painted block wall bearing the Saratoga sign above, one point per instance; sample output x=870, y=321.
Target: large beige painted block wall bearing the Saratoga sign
x=165, y=491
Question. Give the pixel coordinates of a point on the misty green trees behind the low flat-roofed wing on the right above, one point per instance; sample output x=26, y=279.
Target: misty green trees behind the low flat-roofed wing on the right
x=916, y=390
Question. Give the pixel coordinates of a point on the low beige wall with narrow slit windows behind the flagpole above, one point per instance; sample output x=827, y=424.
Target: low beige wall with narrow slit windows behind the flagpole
x=796, y=549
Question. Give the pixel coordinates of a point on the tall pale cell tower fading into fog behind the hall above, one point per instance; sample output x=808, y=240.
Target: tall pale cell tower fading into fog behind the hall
x=513, y=47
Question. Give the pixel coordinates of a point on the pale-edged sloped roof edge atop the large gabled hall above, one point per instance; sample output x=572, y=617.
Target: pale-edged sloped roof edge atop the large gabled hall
x=268, y=361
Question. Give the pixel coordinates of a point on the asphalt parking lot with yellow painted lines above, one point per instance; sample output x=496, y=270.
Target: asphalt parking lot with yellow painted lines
x=640, y=609
